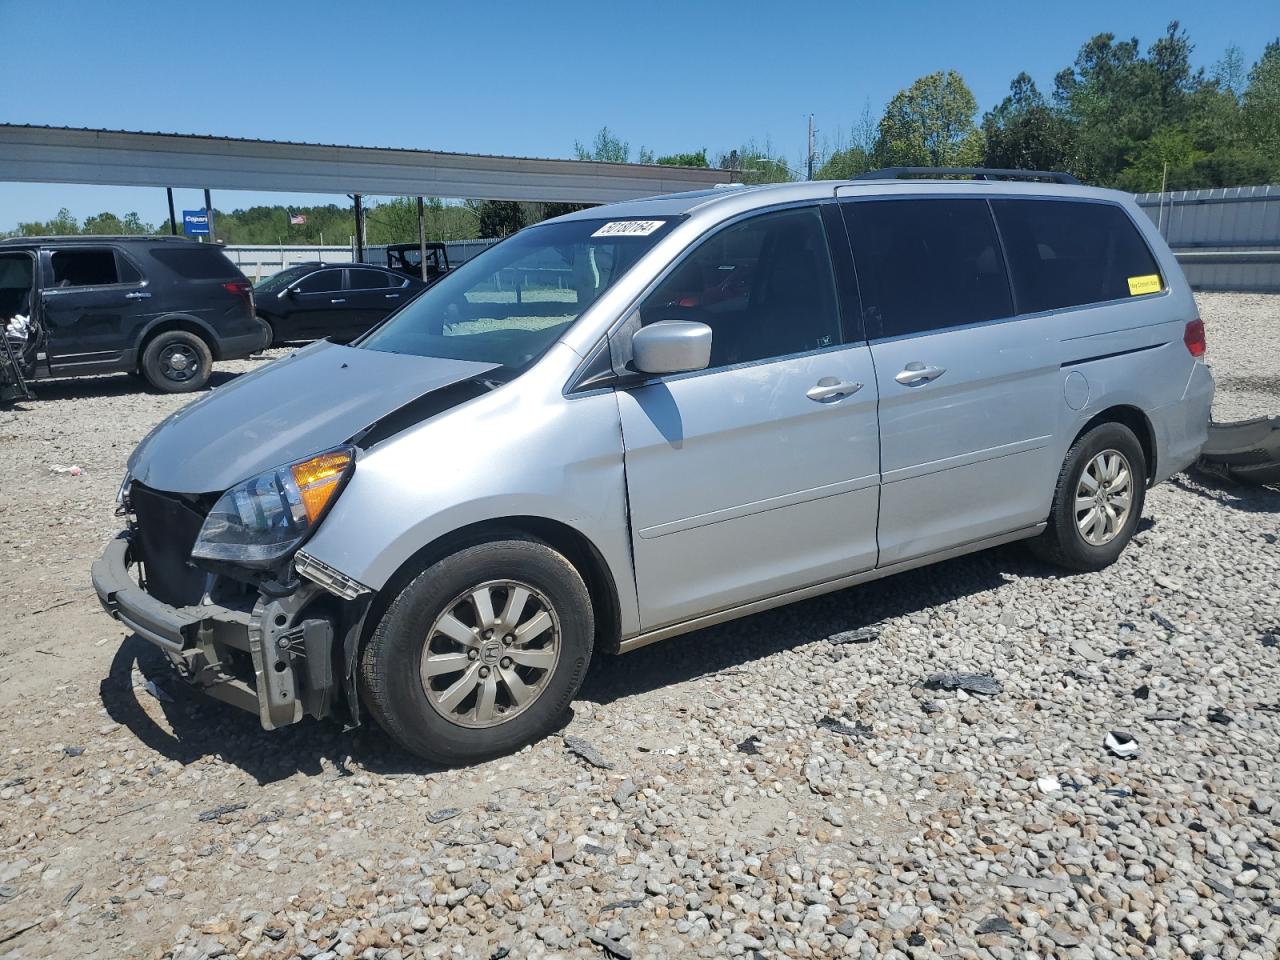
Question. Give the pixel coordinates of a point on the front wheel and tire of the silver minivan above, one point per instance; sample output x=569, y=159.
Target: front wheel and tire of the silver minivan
x=427, y=715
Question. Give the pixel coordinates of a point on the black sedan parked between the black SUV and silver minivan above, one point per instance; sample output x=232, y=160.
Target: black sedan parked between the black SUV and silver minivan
x=340, y=301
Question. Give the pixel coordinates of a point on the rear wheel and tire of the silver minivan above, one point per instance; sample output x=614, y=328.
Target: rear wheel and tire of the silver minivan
x=1064, y=543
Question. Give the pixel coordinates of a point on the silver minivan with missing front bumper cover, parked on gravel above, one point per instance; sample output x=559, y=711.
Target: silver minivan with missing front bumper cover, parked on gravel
x=638, y=420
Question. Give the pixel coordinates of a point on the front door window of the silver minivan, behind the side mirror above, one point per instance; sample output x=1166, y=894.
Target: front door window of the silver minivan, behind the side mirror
x=765, y=287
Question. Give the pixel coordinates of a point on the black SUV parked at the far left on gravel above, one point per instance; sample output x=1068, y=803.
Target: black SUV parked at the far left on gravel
x=163, y=307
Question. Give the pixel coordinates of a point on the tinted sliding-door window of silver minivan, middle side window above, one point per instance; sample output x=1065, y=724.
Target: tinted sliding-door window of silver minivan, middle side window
x=927, y=264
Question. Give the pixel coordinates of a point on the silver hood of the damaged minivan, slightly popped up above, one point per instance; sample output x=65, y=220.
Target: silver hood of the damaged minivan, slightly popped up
x=310, y=401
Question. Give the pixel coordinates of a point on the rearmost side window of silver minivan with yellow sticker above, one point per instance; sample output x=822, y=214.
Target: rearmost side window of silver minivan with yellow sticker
x=1064, y=254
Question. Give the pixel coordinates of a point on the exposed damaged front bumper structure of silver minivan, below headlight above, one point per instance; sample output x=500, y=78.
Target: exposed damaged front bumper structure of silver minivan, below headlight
x=272, y=656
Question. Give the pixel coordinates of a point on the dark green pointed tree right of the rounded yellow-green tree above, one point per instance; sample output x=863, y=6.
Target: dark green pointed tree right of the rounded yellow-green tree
x=1025, y=132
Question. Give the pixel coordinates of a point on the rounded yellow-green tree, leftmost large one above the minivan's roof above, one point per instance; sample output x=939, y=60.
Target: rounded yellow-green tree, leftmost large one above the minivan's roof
x=931, y=125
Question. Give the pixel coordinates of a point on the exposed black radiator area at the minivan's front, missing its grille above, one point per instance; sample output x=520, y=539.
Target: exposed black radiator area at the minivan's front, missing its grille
x=166, y=529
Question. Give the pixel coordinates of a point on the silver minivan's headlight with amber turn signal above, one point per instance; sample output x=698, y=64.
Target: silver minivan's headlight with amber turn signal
x=259, y=522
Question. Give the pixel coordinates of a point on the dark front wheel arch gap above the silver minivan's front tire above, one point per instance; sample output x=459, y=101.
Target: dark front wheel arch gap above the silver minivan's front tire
x=577, y=548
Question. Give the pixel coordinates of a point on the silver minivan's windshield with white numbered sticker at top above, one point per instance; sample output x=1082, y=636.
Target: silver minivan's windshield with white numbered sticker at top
x=510, y=304
